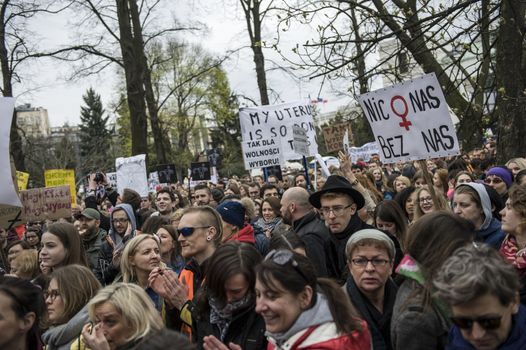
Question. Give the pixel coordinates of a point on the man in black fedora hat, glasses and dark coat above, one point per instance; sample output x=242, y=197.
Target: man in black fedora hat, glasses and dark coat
x=338, y=202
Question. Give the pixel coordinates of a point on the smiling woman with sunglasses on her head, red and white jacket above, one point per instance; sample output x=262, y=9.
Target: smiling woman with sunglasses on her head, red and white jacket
x=303, y=312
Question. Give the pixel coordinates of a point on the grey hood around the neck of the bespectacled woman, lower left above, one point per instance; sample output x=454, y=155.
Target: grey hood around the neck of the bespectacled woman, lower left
x=60, y=337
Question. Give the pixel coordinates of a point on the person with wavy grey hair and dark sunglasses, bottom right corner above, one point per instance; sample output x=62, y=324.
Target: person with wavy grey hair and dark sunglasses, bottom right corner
x=483, y=292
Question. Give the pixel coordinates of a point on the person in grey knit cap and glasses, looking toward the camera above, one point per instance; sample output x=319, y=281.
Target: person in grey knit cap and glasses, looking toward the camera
x=370, y=256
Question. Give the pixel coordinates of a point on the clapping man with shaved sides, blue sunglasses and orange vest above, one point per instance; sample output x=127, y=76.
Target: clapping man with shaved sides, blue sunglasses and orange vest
x=200, y=232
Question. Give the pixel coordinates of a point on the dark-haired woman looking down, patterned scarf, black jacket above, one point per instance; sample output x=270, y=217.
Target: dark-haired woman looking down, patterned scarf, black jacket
x=226, y=303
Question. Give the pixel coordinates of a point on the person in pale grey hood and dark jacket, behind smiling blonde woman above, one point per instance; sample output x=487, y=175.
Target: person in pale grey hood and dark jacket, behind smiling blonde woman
x=122, y=229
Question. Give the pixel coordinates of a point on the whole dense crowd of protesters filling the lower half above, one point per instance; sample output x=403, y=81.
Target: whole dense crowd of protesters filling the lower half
x=416, y=255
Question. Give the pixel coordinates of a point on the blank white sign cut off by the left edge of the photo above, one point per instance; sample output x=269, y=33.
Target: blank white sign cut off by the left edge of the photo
x=8, y=195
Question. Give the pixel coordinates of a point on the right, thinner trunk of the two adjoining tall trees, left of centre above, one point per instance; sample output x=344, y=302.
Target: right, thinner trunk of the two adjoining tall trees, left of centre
x=161, y=146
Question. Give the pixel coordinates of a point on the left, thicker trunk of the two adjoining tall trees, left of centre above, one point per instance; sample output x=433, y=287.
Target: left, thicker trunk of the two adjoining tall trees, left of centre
x=131, y=54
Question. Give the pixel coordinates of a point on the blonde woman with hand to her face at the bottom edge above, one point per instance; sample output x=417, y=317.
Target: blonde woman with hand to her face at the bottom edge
x=121, y=316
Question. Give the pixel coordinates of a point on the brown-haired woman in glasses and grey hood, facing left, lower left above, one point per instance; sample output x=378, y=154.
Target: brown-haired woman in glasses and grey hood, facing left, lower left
x=70, y=289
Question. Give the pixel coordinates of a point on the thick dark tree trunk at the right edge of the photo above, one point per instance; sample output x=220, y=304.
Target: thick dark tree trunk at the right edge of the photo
x=510, y=104
